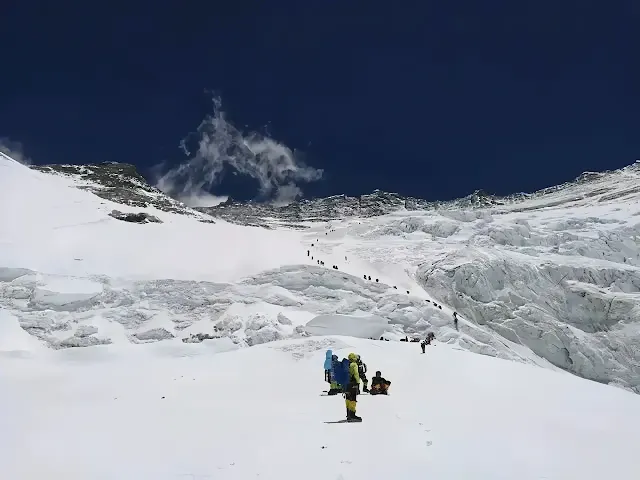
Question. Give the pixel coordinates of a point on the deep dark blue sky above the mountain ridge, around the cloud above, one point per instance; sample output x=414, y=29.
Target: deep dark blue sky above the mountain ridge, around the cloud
x=425, y=98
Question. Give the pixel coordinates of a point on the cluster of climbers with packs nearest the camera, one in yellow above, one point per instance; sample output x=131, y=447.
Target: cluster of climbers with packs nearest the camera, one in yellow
x=345, y=376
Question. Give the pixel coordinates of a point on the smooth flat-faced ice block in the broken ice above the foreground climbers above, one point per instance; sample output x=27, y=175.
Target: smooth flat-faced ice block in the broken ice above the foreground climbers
x=348, y=325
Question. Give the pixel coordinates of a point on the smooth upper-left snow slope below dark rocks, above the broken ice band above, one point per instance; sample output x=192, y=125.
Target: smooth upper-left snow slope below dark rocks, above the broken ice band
x=48, y=225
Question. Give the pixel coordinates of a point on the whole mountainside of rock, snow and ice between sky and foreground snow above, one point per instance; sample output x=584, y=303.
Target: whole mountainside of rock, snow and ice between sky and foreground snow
x=550, y=278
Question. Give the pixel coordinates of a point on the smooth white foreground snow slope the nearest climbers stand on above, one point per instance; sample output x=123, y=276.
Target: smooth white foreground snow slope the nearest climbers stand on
x=172, y=411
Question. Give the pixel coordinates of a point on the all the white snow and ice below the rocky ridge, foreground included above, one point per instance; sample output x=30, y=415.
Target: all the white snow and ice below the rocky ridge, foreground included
x=551, y=283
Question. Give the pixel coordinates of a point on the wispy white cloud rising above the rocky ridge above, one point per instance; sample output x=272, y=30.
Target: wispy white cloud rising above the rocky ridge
x=217, y=147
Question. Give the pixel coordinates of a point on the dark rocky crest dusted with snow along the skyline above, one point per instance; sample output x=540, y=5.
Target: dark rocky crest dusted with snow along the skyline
x=122, y=183
